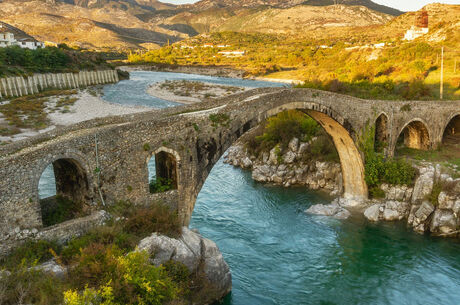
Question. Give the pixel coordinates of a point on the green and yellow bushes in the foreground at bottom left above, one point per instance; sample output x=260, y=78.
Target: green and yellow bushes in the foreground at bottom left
x=102, y=267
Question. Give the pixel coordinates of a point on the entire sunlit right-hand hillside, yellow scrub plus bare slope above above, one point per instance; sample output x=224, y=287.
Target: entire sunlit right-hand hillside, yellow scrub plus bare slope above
x=370, y=61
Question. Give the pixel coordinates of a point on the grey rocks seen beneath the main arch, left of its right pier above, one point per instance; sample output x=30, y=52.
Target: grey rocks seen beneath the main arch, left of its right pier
x=288, y=167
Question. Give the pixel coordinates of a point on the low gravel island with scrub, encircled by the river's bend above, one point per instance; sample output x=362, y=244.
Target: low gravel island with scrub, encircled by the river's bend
x=190, y=92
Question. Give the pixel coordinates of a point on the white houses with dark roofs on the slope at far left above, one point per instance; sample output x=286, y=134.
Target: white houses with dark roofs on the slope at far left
x=11, y=36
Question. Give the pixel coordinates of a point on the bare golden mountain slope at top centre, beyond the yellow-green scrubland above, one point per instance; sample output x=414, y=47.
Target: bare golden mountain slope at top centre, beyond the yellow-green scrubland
x=297, y=20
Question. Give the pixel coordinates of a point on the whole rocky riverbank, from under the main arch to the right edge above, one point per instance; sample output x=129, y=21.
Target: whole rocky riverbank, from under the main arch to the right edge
x=430, y=205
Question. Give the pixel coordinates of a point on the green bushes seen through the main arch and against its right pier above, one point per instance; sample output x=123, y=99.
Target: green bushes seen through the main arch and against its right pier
x=278, y=131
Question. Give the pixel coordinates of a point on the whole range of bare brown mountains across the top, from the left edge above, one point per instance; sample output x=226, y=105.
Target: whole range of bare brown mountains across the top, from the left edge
x=136, y=24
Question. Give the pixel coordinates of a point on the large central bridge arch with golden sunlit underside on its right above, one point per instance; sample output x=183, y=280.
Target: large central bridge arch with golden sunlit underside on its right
x=210, y=150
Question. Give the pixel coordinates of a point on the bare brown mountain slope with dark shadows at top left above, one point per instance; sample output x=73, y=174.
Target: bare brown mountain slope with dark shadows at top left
x=93, y=28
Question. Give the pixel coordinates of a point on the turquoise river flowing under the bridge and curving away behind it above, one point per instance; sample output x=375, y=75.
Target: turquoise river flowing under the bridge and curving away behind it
x=280, y=255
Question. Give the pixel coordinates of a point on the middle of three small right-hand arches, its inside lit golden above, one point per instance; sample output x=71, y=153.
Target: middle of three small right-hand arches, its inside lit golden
x=415, y=134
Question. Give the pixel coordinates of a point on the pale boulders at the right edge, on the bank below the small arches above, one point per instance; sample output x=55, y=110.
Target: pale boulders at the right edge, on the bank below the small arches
x=402, y=202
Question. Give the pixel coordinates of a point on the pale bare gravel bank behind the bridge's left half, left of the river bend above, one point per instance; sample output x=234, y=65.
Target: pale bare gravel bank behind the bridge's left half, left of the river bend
x=86, y=107
